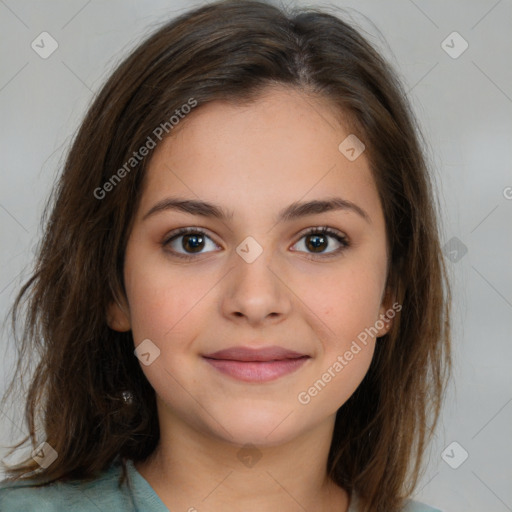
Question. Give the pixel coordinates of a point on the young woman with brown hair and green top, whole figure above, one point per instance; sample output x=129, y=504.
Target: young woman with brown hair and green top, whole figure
x=240, y=300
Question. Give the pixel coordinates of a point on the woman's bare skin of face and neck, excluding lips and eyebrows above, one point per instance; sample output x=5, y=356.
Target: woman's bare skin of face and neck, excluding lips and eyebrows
x=254, y=161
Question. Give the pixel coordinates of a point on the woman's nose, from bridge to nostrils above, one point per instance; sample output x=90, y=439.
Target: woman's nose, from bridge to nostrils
x=256, y=293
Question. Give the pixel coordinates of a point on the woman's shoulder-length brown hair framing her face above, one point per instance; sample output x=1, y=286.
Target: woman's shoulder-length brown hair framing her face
x=231, y=51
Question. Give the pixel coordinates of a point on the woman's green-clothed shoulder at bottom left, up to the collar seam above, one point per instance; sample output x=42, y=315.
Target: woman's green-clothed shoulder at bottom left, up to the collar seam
x=102, y=493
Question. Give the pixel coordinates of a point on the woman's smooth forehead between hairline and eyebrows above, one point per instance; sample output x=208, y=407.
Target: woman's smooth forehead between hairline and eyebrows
x=280, y=148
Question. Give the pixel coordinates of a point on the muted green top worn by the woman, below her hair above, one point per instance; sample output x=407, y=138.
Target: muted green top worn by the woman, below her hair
x=104, y=495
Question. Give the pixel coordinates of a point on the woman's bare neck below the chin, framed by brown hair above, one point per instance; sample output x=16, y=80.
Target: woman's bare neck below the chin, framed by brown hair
x=190, y=470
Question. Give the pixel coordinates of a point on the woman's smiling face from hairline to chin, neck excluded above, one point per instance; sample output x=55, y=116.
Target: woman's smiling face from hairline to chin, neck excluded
x=252, y=322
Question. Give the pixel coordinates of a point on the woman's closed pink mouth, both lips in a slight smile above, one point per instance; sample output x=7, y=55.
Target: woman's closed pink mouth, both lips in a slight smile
x=256, y=365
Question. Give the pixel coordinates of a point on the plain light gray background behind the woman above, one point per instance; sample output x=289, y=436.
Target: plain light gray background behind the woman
x=464, y=105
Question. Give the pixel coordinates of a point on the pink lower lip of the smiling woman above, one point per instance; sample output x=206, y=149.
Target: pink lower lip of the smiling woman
x=257, y=371
